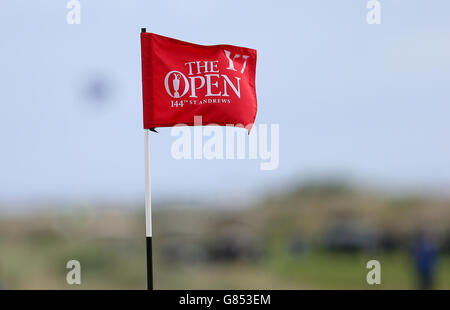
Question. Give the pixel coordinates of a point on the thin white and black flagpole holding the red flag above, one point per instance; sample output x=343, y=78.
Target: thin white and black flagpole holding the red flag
x=148, y=207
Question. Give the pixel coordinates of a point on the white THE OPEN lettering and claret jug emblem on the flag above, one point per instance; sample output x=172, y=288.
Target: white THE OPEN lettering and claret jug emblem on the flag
x=202, y=81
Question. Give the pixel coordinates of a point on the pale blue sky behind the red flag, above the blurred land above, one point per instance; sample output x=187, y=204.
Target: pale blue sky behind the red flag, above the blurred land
x=370, y=101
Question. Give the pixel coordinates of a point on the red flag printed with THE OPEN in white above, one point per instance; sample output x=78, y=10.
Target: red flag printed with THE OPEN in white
x=181, y=80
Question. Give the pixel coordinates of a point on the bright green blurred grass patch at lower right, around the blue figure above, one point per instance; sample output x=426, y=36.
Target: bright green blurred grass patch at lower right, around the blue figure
x=322, y=270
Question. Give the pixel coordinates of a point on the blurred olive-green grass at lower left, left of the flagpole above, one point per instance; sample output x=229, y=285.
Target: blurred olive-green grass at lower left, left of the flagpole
x=105, y=264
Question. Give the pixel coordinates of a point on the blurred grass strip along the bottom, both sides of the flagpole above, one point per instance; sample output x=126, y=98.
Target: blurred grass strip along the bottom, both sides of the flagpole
x=120, y=264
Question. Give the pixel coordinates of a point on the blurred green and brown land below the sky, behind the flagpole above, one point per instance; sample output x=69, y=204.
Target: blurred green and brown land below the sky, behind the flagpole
x=317, y=236
